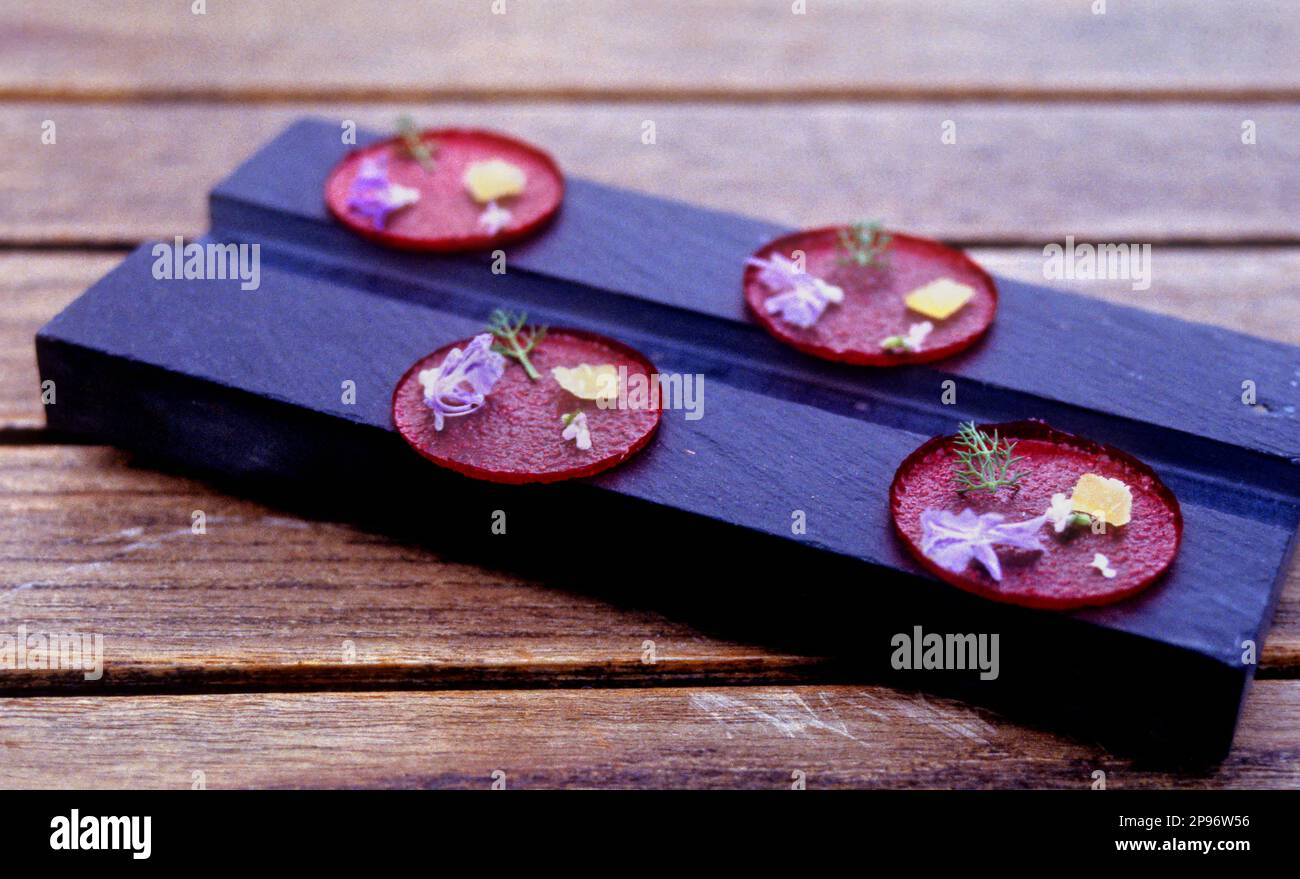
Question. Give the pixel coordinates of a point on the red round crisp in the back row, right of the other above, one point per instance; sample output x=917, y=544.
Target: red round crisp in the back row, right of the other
x=873, y=309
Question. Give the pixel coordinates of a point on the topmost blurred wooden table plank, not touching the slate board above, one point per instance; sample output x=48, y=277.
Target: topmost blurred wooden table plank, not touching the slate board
x=133, y=49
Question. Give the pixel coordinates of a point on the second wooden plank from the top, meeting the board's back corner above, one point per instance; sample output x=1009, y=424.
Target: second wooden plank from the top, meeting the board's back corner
x=1126, y=174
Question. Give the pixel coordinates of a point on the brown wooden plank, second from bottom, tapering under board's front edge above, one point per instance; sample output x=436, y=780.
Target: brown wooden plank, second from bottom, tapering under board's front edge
x=93, y=544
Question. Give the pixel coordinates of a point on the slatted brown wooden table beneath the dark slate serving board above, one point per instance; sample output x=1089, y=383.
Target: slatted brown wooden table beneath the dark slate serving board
x=278, y=649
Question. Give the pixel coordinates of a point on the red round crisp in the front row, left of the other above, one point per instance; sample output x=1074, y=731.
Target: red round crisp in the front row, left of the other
x=515, y=436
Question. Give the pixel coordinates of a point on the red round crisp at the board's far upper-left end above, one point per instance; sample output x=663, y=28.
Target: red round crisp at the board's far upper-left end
x=447, y=218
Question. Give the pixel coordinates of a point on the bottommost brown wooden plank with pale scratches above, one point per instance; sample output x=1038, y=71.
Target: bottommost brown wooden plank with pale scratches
x=688, y=738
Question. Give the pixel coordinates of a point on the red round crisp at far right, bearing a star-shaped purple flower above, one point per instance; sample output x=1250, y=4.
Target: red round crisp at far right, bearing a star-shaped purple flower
x=1063, y=575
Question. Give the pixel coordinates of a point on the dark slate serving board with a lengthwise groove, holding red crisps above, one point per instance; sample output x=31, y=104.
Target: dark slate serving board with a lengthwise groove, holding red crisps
x=246, y=386
